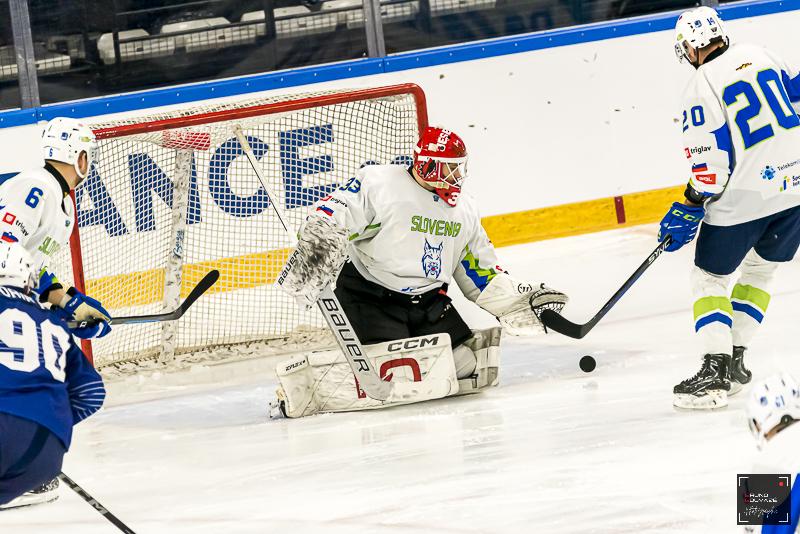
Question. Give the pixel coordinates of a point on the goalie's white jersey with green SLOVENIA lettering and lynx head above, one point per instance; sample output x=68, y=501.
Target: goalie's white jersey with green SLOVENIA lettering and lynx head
x=406, y=238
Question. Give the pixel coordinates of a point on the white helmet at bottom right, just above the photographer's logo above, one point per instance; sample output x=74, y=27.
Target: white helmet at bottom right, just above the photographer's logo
x=773, y=401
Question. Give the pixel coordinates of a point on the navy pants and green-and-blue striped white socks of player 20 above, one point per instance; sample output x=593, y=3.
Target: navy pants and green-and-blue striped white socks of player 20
x=726, y=317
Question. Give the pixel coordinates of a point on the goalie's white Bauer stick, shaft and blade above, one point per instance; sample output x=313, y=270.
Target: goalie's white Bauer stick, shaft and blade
x=328, y=303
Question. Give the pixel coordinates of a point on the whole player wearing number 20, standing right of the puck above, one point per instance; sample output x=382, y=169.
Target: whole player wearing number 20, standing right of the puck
x=742, y=146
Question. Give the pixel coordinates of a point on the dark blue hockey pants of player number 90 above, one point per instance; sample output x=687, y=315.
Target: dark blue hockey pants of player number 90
x=30, y=455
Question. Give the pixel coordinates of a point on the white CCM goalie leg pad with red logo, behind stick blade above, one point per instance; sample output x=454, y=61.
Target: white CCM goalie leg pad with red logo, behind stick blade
x=421, y=368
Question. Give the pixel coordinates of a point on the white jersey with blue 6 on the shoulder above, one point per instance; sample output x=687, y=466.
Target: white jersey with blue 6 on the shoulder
x=35, y=211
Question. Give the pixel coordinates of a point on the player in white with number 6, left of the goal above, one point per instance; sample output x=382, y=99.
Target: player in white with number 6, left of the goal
x=36, y=211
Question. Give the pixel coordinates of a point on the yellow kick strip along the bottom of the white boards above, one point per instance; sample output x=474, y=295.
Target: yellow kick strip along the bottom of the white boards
x=262, y=268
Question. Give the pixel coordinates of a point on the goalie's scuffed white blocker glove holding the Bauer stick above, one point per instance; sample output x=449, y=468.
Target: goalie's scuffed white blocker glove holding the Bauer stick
x=314, y=265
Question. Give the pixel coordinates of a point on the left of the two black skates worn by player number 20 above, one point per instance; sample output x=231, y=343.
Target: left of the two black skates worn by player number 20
x=708, y=389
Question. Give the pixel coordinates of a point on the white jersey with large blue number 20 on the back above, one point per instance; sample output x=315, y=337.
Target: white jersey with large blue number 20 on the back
x=742, y=135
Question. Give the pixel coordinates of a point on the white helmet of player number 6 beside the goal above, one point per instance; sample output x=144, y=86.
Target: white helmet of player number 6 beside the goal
x=63, y=139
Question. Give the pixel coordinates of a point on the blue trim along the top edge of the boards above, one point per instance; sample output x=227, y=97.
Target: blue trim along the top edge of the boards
x=365, y=67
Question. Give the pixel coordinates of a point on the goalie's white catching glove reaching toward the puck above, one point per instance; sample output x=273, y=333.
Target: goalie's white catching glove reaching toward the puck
x=519, y=305
